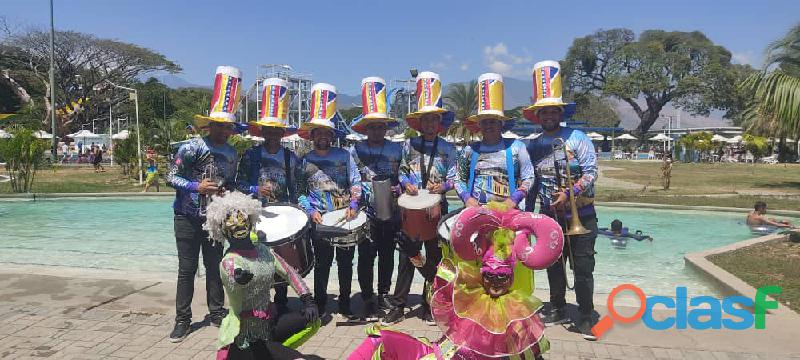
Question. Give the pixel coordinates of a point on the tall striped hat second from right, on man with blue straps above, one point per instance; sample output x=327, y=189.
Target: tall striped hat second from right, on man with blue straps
x=489, y=91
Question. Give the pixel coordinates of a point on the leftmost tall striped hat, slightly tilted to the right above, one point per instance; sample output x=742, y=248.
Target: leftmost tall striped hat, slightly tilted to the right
x=225, y=99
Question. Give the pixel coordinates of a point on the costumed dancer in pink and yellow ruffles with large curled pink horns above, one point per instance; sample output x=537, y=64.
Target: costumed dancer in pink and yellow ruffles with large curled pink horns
x=483, y=296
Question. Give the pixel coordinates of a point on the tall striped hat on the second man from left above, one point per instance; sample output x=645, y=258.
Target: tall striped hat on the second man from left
x=274, y=107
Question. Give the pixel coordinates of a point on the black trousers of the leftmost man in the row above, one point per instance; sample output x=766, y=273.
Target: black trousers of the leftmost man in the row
x=190, y=239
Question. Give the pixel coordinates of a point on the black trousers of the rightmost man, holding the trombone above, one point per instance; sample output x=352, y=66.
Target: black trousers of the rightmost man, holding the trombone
x=582, y=247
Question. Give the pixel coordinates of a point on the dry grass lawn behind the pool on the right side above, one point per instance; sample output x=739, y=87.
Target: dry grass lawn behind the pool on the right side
x=734, y=185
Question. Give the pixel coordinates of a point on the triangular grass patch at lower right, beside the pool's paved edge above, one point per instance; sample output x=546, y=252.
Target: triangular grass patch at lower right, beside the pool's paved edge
x=771, y=263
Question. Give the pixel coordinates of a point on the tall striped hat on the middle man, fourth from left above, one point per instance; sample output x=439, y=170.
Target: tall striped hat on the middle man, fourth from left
x=374, y=105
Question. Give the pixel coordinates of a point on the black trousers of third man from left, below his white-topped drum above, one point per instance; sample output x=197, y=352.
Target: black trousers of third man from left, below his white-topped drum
x=323, y=257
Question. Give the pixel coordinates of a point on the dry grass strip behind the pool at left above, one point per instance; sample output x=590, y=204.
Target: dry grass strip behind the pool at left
x=82, y=179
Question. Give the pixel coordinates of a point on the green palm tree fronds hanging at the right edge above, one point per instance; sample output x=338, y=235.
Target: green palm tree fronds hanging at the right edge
x=775, y=109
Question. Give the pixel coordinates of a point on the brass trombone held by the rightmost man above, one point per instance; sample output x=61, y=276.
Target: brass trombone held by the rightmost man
x=574, y=227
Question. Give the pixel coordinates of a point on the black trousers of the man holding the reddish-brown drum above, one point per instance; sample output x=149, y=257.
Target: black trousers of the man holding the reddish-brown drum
x=405, y=270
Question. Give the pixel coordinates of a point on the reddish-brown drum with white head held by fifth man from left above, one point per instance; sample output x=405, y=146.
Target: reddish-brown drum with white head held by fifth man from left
x=420, y=215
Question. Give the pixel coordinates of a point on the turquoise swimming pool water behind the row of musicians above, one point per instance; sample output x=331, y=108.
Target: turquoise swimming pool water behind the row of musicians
x=135, y=235
